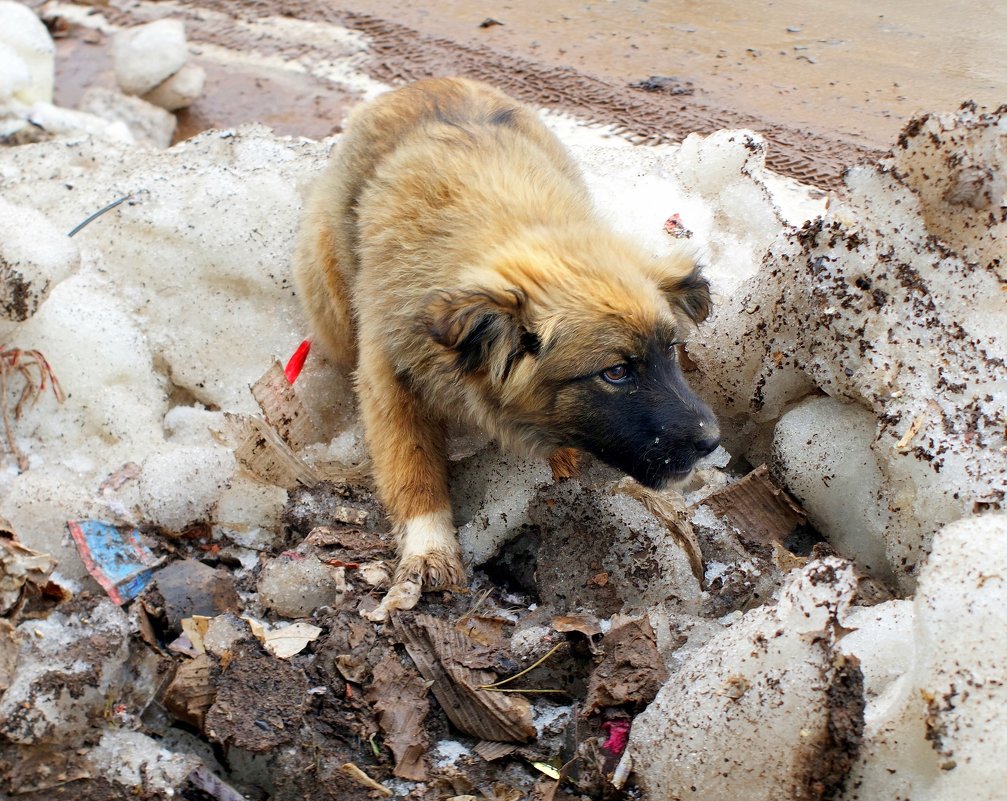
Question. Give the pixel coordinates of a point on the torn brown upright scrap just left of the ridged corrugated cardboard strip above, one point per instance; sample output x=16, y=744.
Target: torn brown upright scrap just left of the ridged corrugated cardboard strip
x=399, y=698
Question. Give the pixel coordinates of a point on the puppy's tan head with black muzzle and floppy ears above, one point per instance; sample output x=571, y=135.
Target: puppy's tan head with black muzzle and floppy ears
x=578, y=347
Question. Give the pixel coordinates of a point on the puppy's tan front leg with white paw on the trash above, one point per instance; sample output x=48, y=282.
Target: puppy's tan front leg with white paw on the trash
x=410, y=465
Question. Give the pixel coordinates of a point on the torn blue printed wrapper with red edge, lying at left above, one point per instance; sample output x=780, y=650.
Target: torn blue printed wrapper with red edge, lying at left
x=116, y=558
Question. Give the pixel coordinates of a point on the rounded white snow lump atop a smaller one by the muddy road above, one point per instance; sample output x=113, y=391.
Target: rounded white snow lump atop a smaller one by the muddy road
x=148, y=55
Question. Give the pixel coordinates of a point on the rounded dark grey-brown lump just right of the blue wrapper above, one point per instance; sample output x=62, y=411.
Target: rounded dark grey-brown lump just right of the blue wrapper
x=189, y=588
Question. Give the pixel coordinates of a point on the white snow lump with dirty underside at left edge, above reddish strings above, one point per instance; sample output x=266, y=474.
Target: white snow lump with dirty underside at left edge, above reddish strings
x=35, y=257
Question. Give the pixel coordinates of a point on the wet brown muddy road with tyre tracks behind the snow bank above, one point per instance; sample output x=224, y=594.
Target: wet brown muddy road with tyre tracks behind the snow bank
x=827, y=89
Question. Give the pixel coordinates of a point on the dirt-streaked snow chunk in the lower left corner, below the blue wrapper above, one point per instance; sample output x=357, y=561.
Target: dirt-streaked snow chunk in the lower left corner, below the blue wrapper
x=69, y=664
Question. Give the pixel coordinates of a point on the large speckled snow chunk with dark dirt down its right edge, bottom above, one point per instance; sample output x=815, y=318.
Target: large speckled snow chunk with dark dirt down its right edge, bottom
x=764, y=711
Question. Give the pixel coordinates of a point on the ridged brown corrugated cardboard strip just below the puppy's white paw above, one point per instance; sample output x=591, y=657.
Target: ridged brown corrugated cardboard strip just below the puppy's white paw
x=440, y=653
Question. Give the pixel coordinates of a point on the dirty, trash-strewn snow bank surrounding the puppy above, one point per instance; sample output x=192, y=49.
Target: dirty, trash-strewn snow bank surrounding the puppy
x=193, y=558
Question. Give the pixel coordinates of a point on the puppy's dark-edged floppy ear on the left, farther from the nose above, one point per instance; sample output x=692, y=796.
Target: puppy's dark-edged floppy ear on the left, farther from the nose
x=484, y=328
